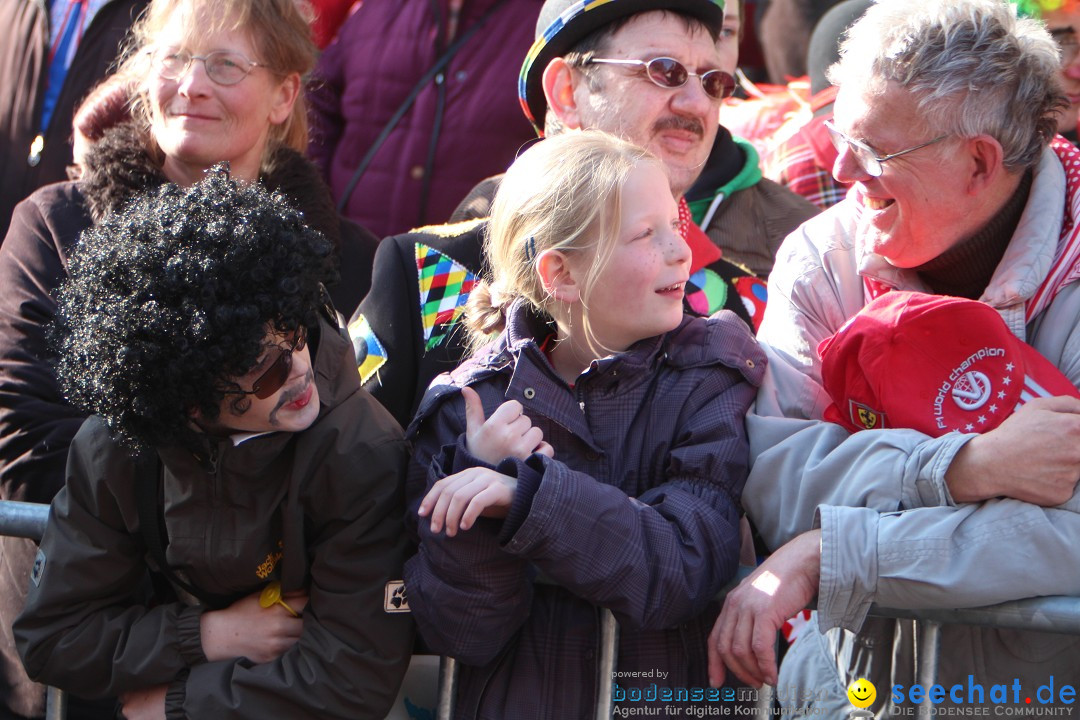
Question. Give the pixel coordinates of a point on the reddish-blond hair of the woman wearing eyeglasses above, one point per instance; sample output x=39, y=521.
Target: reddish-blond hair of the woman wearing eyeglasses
x=280, y=32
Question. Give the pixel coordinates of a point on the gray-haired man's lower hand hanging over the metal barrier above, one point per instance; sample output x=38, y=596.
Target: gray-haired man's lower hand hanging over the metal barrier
x=745, y=636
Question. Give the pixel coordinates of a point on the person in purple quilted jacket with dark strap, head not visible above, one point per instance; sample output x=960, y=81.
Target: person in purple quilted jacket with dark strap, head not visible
x=415, y=103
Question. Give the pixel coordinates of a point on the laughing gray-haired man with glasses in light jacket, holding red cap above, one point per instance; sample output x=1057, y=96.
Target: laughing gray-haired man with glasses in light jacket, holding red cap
x=944, y=123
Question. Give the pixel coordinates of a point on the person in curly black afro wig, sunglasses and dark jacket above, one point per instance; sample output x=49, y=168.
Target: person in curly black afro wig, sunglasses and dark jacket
x=233, y=464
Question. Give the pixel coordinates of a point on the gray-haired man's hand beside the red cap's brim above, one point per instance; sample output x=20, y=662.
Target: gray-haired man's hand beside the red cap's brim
x=1034, y=456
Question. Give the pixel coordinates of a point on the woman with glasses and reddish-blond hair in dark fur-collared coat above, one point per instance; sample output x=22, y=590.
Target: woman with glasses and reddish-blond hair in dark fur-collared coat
x=211, y=81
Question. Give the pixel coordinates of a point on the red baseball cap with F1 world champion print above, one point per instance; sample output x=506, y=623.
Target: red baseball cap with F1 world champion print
x=931, y=363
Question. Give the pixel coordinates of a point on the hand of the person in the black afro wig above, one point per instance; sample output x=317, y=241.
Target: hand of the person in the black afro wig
x=248, y=630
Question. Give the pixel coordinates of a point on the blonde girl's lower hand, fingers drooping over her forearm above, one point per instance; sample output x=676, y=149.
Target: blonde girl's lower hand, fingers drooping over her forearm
x=456, y=501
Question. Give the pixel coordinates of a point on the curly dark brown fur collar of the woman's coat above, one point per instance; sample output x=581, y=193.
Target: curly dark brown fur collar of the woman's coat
x=120, y=168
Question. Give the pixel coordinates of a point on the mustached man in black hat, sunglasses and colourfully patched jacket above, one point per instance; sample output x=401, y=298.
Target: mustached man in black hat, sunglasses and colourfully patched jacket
x=652, y=72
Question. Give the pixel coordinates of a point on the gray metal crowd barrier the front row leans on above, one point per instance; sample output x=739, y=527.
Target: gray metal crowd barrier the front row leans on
x=1048, y=615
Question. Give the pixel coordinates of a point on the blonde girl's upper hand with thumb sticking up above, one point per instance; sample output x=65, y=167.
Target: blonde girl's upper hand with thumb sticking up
x=508, y=433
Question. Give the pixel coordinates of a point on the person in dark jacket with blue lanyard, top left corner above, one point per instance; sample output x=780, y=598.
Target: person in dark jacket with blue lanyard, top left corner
x=52, y=52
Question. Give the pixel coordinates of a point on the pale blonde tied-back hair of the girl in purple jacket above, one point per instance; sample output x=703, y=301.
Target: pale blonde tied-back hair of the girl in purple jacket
x=562, y=194
